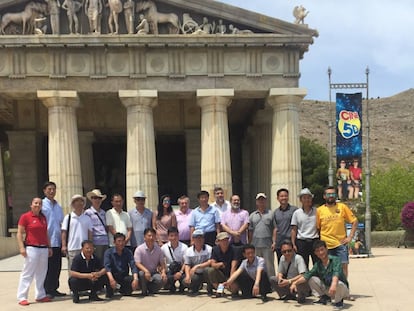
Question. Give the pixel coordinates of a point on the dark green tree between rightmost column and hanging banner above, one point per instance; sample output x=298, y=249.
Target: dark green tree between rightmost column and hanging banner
x=314, y=161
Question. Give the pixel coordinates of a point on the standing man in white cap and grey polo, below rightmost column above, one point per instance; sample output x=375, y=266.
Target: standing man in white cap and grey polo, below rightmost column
x=262, y=232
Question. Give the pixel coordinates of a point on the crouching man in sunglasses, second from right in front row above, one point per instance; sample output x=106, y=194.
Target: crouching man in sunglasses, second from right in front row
x=291, y=267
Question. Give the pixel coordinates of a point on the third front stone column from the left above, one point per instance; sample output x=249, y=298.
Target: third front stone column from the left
x=215, y=146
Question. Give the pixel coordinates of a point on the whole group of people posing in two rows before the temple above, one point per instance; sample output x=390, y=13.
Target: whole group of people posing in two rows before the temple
x=217, y=243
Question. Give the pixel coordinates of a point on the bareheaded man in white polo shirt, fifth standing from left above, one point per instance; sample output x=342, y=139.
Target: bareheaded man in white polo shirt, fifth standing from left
x=118, y=220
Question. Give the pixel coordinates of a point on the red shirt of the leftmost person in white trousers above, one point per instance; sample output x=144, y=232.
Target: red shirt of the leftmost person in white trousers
x=36, y=229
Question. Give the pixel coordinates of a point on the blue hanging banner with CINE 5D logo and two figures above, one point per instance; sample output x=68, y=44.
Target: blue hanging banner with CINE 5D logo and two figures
x=349, y=144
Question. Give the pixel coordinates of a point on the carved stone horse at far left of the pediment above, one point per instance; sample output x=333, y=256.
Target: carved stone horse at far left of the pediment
x=23, y=17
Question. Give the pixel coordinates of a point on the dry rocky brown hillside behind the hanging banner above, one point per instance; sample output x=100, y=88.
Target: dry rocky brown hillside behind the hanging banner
x=391, y=132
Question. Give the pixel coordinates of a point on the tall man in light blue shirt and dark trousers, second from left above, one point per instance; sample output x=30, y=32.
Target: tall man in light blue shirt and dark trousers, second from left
x=54, y=216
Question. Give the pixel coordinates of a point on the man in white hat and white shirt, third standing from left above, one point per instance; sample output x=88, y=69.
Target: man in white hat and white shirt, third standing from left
x=76, y=228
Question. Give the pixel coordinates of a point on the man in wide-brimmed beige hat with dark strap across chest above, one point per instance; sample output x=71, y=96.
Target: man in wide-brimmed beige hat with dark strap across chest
x=98, y=219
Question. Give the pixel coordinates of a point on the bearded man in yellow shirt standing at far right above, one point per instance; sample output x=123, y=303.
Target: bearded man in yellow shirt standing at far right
x=330, y=221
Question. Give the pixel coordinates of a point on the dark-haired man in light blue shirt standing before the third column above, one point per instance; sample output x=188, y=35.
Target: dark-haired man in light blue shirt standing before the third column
x=205, y=218
